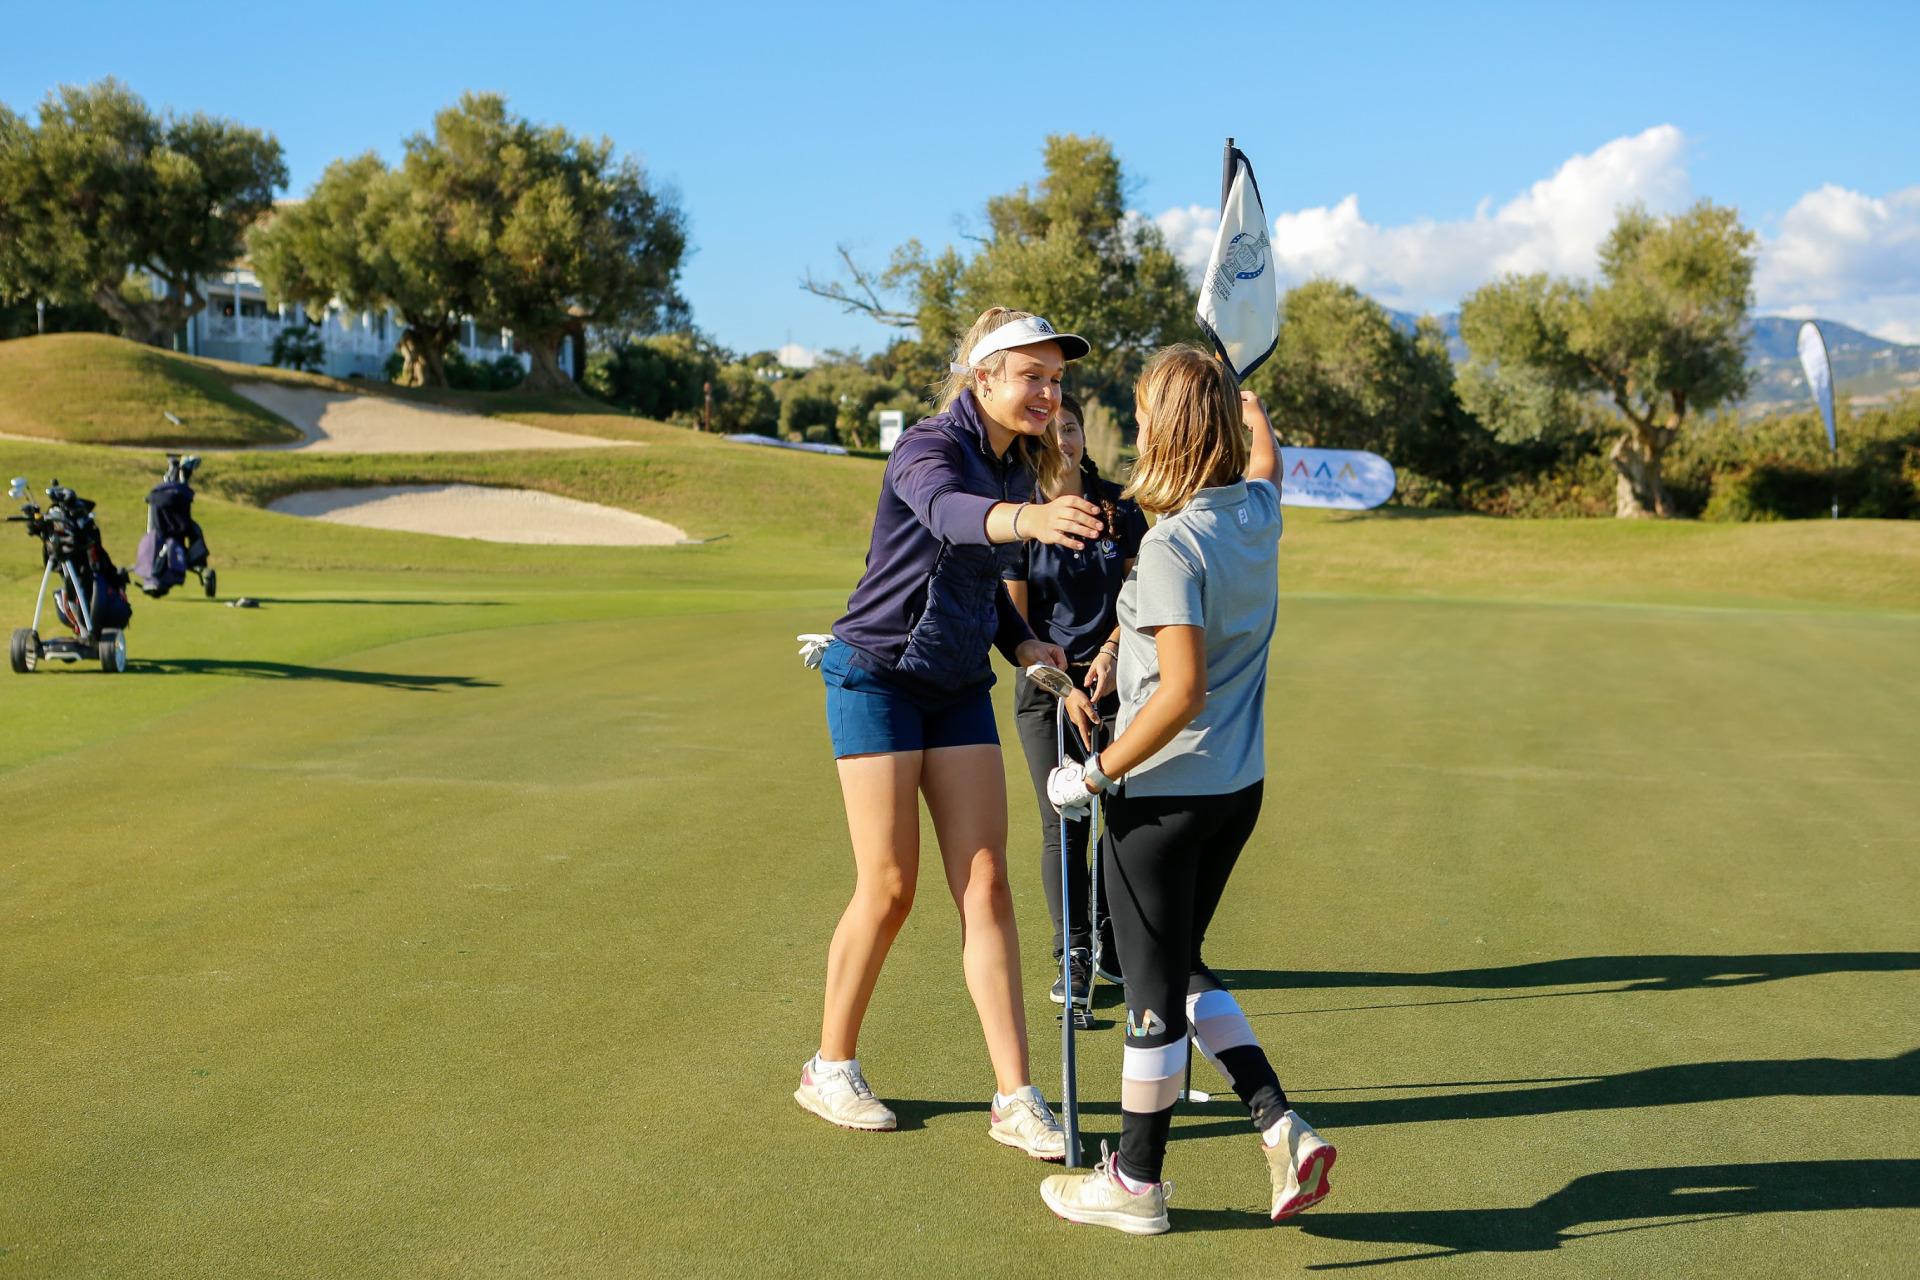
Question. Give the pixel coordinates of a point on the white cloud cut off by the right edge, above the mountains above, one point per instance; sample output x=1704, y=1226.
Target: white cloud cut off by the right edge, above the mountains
x=1848, y=256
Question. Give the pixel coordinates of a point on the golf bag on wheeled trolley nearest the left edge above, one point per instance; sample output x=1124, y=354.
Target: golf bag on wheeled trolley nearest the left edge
x=89, y=594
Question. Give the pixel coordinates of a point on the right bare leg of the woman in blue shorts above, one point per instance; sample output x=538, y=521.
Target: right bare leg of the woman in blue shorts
x=967, y=799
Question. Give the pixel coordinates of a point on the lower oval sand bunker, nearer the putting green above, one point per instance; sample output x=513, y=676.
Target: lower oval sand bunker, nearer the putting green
x=491, y=515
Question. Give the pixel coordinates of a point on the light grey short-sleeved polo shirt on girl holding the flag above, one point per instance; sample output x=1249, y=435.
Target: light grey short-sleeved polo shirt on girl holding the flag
x=1214, y=565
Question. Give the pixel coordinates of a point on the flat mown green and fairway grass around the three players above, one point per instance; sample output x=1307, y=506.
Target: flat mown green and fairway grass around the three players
x=462, y=913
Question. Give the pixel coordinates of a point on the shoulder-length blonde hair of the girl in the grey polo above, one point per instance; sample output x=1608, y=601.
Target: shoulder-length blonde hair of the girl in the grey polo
x=1195, y=440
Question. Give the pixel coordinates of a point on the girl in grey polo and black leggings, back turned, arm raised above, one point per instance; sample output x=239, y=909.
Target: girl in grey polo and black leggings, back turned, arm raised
x=1197, y=621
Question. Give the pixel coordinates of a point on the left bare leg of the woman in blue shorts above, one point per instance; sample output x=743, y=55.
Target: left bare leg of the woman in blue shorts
x=882, y=797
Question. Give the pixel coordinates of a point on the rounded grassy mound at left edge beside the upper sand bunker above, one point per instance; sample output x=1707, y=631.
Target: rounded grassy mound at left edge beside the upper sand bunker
x=93, y=389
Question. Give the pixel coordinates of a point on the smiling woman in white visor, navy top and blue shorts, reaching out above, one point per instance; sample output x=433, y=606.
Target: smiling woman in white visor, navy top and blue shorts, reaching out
x=909, y=705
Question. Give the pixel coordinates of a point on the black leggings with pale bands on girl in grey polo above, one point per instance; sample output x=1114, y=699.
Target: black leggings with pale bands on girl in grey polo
x=1168, y=866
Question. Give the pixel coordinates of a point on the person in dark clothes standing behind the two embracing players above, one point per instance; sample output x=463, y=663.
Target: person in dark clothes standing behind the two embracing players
x=1068, y=600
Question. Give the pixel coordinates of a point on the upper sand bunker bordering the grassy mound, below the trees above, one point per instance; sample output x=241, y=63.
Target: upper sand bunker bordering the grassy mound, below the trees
x=345, y=423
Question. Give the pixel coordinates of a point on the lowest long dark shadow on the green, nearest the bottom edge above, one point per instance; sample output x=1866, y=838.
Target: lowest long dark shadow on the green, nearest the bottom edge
x=1681, y=1195
